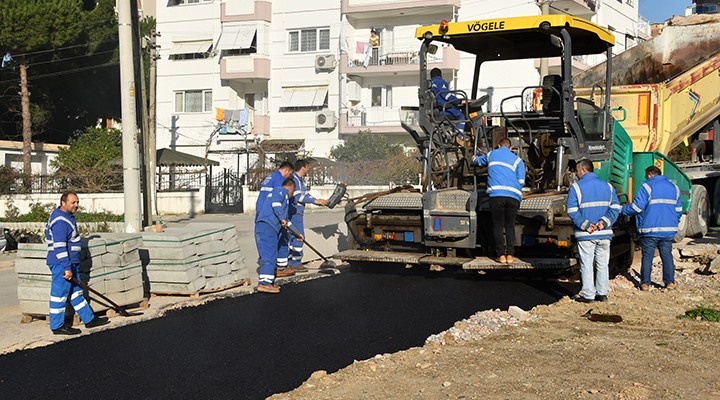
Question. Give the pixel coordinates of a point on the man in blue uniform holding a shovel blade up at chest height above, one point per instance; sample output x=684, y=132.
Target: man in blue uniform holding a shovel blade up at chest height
x=297, y=211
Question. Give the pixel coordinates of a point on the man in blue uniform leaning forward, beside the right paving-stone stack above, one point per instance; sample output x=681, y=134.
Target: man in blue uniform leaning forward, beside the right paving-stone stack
x=269, y=227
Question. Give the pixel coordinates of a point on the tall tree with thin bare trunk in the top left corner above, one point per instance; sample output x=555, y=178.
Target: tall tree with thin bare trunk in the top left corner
x=42, y=32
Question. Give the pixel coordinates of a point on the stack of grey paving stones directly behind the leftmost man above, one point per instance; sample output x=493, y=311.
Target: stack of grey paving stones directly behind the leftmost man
x=110, y=263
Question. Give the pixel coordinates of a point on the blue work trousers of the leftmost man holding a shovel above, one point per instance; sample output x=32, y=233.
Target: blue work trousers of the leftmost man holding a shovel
x=60, y=290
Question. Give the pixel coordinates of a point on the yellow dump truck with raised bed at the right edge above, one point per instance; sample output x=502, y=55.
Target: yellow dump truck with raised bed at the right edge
x=666, y=92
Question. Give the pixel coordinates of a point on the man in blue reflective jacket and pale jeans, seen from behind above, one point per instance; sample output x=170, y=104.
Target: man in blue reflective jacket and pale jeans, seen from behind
x=593, y=206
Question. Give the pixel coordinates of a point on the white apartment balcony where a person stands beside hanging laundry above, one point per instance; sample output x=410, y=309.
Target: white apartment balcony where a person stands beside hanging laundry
x=395, y=61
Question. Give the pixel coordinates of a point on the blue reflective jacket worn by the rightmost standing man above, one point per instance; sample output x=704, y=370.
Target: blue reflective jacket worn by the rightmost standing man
x=658, y=207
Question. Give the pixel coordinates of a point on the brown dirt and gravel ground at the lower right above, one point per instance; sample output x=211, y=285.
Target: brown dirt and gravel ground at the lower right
x=557, y=353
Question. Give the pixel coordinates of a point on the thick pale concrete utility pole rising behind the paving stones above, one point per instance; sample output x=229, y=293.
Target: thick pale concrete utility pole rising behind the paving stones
x=131, y=165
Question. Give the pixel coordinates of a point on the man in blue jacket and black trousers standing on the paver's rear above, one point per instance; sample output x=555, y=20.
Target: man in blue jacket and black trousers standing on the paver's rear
x=506, y=177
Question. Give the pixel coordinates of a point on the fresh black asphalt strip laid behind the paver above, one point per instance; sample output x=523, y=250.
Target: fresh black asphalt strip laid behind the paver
x=251, y=347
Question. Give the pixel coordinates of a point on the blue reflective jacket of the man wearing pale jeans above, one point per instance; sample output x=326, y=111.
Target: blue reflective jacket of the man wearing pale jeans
x=590, y=200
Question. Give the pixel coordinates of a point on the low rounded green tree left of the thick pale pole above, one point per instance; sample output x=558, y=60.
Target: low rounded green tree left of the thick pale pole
x=92, y=160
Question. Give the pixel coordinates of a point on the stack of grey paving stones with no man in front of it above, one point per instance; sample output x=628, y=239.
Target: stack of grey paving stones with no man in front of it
x=192, y=258
